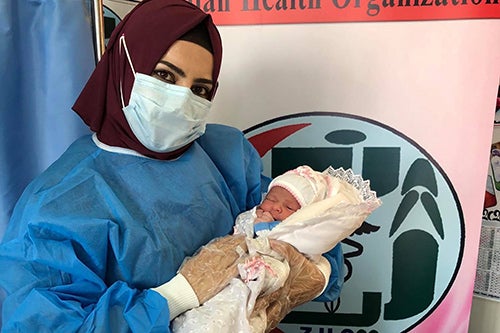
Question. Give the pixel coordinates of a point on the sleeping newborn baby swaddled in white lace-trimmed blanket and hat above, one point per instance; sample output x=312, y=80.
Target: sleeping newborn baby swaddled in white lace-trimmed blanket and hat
x=311, y=210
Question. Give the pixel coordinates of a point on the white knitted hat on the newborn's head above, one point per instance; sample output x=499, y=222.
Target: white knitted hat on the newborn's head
x=305, y=184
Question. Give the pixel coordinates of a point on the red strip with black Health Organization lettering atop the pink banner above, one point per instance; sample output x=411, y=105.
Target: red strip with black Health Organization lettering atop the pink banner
x=235, y=12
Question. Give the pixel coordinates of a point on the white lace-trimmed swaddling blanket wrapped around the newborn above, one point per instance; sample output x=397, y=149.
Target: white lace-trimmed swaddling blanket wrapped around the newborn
x=313, y=230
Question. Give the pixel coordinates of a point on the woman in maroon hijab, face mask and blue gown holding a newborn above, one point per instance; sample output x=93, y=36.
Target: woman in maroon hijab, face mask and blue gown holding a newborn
x=96, y=241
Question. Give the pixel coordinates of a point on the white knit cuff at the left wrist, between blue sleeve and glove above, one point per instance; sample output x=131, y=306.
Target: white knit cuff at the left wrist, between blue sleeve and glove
x=179, y=294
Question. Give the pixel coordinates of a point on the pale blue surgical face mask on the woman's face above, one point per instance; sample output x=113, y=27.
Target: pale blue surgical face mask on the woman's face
x=164, y=117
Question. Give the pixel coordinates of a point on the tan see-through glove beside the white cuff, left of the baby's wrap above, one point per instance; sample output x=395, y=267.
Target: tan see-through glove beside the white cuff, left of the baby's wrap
x=214, y=265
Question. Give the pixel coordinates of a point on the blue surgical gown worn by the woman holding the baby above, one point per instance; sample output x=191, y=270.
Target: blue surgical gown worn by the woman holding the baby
x=97, y=229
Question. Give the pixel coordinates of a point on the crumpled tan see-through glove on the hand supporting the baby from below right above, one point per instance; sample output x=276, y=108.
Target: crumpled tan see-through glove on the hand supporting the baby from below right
x=305, y=282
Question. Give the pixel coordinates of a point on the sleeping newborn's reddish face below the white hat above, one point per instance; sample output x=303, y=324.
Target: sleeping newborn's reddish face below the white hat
x=279, y=203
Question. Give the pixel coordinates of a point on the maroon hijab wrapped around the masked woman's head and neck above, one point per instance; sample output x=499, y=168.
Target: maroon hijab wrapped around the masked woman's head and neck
x=150, y=29
